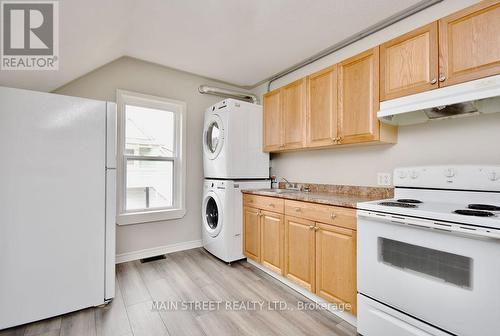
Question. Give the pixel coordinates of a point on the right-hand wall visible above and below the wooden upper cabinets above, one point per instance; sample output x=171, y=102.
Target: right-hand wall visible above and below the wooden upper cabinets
x=473, y=140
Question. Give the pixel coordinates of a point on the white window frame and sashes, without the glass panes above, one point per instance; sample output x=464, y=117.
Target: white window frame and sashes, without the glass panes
x=178, y=209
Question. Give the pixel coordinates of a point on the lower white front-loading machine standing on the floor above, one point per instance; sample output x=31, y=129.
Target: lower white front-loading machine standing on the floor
x=222, y=211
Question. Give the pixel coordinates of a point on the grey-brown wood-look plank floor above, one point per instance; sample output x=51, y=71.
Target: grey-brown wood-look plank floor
x=188, y=278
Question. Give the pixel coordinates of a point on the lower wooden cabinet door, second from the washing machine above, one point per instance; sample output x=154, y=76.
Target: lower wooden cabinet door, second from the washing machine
x=272, y=240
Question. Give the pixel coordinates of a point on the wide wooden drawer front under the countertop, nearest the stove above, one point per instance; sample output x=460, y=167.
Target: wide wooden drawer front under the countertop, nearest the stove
x=338, y=216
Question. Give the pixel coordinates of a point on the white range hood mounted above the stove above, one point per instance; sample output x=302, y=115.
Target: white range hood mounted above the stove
x=460, y=100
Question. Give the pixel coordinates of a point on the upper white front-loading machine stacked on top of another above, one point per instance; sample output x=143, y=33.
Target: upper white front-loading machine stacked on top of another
x=232, y=141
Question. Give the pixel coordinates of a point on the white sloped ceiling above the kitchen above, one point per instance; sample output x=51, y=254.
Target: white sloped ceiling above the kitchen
x=237, y=41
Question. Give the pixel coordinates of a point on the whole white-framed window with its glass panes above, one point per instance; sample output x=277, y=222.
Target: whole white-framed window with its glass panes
x=151, y=156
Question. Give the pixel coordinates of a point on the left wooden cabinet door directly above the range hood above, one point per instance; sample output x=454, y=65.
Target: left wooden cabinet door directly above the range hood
x=409, y=63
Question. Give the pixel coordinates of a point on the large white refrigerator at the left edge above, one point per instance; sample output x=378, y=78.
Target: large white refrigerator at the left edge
x=57, y=204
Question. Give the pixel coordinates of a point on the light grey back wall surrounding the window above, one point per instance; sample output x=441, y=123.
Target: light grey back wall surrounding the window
x=139, y=76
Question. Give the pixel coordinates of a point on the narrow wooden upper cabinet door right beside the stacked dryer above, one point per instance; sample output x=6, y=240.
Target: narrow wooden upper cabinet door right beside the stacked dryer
x=273, y=121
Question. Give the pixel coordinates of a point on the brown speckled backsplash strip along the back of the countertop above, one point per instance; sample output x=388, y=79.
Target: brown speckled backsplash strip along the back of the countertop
x=376, y=192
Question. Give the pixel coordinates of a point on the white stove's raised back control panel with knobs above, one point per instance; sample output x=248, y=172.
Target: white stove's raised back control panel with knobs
x=461, y=177
